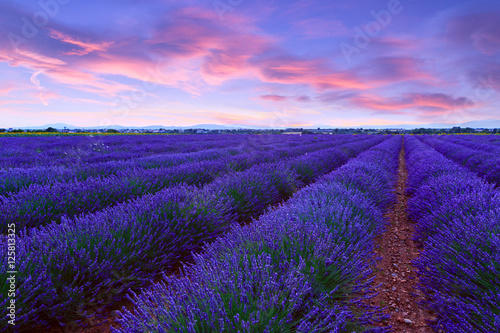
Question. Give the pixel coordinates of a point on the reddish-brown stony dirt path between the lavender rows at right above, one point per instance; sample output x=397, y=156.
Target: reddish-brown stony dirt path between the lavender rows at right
x=395, y=274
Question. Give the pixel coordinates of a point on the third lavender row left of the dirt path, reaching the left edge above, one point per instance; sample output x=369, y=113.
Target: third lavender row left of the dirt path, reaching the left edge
x=39, y=204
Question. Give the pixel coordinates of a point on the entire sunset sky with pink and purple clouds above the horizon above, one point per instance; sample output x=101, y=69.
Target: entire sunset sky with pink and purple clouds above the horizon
x=248, y=62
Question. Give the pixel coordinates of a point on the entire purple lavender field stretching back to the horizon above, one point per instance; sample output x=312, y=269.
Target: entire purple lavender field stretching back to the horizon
x=246, y=233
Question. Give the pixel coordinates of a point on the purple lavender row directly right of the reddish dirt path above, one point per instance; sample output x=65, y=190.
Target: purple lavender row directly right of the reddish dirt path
x=458, y=222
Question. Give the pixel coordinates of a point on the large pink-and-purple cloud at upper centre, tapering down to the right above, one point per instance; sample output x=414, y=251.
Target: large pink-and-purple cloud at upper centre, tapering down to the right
x=227, y=51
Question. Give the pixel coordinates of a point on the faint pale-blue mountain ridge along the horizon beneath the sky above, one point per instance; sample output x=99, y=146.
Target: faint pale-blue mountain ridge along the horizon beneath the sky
x=488, y=123
